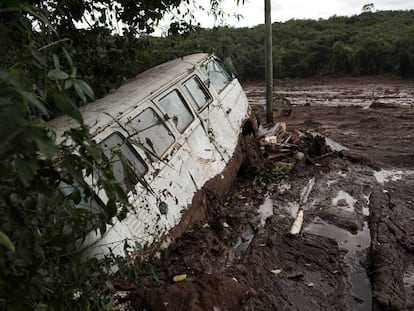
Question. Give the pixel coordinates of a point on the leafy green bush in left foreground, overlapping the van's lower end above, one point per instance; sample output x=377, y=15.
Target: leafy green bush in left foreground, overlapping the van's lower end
x=40, y=266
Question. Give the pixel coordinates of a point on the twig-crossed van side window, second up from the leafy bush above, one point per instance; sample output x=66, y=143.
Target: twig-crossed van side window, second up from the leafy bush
x=151, y=132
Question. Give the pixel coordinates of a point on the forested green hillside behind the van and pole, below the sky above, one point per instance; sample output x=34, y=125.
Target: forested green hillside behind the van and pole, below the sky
x=380, y=43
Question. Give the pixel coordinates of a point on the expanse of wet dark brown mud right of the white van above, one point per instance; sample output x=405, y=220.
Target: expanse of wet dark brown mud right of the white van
x=356, y=247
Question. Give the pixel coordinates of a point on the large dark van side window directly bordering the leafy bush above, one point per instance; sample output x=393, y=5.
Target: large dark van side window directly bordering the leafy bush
x=127, y=170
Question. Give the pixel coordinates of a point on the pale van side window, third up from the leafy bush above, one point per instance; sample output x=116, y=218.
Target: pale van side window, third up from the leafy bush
x=176, y=109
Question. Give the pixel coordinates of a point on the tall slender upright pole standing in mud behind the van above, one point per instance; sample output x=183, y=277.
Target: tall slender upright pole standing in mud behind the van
x=268, y=63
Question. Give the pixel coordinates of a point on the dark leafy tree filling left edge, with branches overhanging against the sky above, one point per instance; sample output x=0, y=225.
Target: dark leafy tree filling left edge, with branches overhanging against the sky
x=46, y=207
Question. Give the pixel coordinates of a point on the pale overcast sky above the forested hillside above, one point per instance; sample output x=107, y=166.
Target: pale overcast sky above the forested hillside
x=283, y=10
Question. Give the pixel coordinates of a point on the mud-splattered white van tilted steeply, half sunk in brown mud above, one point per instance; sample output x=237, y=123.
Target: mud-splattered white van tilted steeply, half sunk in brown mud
x=180, y=126
